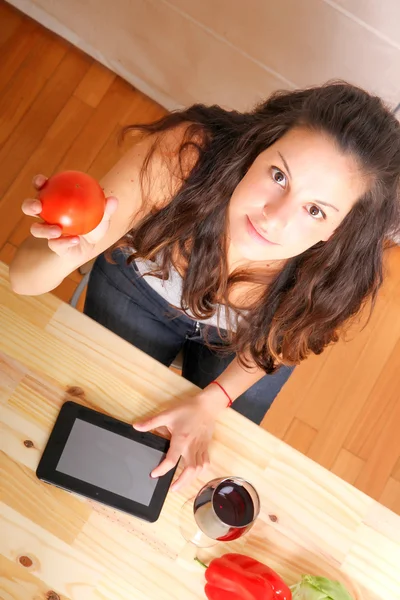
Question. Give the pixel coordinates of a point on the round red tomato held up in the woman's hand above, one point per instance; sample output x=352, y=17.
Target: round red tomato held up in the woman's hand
x=74, y=201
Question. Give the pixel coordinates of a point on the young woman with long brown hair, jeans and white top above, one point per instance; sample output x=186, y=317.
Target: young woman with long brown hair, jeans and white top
x=248, y=239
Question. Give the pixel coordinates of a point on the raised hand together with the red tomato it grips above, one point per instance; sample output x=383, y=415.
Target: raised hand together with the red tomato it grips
x=64, y=220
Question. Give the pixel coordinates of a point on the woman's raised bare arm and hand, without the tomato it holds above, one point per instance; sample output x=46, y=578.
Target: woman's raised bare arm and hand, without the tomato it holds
x=45, y=259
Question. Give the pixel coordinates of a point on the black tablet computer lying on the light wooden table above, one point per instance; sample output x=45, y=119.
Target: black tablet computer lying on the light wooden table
x=107, y=460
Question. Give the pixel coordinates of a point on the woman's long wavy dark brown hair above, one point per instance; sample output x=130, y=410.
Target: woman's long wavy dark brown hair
x=316, y=292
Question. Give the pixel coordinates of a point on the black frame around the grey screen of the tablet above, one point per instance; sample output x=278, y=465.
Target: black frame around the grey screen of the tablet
x=46, y=470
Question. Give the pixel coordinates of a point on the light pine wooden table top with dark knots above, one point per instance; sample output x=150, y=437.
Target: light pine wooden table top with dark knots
x=56, y=545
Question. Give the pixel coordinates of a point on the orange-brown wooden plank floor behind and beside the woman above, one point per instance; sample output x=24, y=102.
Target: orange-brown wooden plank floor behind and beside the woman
x=60, y=109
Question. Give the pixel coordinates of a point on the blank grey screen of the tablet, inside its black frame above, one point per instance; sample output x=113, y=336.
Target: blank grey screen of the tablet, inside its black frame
x=110, y=461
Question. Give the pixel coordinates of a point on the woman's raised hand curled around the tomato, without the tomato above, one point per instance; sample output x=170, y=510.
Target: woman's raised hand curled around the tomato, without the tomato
x=77, y=245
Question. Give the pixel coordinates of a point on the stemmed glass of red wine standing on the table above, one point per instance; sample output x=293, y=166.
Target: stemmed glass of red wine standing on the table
x=223, y=510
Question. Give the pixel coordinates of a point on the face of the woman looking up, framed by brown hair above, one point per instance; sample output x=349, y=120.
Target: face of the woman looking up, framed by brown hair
x=294, y=195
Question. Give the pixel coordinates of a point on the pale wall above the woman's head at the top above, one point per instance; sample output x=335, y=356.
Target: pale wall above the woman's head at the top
x=233, y=52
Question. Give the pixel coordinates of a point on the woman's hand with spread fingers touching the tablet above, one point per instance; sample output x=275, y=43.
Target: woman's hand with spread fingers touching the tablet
x=191, y=425
